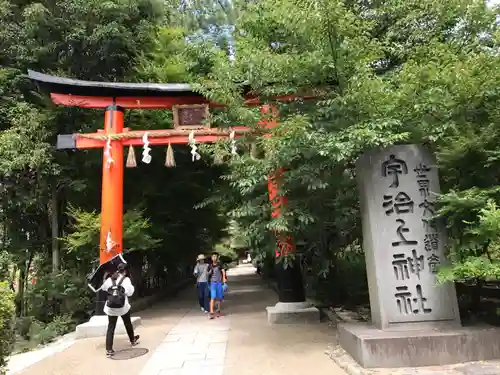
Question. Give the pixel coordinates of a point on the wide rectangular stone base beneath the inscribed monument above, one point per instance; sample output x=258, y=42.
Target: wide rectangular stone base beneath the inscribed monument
x=372, y=348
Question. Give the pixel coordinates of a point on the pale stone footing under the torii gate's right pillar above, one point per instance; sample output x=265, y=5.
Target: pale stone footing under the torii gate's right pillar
x=292, y=312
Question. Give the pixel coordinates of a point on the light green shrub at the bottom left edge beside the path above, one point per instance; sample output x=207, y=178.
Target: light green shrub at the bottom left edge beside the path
x=7, y=332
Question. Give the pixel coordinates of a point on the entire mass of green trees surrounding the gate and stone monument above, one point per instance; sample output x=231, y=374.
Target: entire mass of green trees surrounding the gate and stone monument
x=386, y=72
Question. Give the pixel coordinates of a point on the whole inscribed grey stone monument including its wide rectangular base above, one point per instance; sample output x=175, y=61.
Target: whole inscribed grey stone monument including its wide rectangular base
x=413, y=318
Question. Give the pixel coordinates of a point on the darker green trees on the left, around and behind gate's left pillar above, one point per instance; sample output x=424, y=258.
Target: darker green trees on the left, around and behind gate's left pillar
x=110, y=41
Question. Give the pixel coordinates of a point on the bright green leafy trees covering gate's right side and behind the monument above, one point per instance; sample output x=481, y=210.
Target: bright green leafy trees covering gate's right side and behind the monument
x=388, y=72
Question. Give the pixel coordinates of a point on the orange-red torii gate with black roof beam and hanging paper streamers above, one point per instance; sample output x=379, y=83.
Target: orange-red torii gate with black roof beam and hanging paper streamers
x=189, y=109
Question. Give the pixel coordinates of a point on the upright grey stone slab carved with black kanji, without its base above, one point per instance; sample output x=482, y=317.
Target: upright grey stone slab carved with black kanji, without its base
x=404, y=246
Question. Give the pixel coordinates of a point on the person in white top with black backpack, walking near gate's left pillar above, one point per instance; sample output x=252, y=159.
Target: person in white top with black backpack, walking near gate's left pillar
x=119, y=288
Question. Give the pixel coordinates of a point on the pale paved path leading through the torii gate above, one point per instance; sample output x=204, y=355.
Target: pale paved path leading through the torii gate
x=182, y=341
